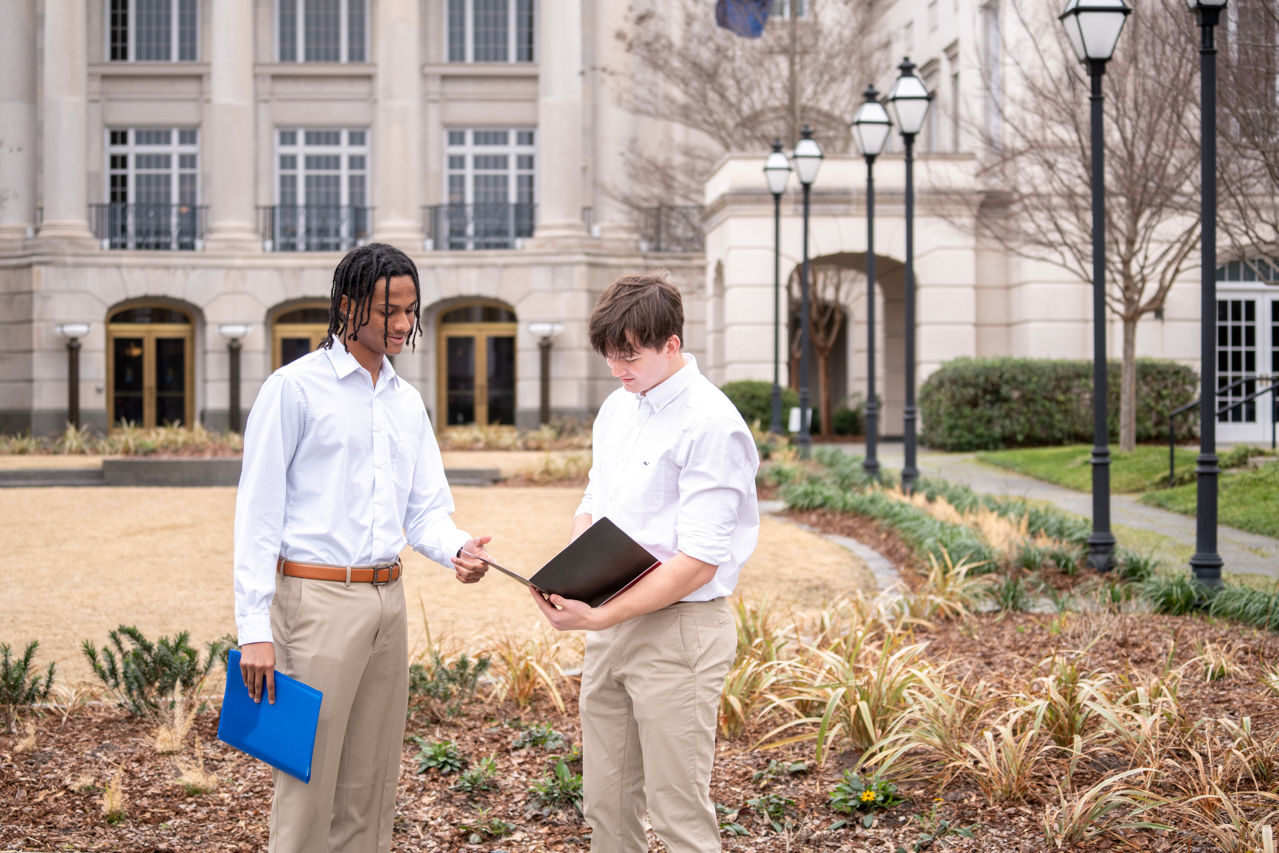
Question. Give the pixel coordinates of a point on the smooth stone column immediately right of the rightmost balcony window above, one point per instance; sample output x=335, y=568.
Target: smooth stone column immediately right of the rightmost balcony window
x=560, y=121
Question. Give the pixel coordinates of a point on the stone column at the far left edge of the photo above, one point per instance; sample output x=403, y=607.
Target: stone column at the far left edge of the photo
x=19, y=122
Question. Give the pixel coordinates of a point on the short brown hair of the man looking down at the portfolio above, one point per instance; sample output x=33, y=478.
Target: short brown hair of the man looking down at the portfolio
x=636, y=313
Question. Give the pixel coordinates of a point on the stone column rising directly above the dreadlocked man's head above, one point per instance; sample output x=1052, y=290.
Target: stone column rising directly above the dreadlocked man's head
x=398, y=126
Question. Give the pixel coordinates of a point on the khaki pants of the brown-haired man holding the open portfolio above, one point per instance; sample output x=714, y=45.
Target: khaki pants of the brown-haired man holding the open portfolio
x=650, y=705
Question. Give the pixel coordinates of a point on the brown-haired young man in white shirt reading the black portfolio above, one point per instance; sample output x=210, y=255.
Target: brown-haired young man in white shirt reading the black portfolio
x=675, y=467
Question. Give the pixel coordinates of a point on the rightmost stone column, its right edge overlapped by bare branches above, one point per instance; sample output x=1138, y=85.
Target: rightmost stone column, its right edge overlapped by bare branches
x=615, y=126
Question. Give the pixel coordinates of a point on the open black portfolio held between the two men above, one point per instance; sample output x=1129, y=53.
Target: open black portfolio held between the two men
x=600, y=565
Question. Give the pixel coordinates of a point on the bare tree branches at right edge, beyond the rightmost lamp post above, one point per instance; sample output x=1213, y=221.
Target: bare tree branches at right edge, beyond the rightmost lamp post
x=1249, y=129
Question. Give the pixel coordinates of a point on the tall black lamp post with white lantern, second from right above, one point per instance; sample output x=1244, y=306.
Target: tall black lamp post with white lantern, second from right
x=1093, y=29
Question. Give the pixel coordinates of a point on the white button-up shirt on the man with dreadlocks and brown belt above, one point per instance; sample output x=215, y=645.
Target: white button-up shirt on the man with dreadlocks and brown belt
x=336, y=471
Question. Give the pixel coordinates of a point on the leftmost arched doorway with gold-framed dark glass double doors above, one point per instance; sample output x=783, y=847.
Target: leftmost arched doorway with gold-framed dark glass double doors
x=150, y=370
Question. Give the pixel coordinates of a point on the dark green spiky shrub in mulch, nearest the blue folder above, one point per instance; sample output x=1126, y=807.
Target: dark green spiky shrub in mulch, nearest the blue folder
x=146, y=676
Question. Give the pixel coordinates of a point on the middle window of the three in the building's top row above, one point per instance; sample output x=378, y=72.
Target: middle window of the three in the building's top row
x=323, y=31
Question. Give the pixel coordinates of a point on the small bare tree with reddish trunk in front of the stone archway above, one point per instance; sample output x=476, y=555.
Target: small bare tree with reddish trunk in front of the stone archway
x=829, y=288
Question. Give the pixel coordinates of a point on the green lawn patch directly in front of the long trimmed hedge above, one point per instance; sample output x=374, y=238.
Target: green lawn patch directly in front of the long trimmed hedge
x=1069, y=466
